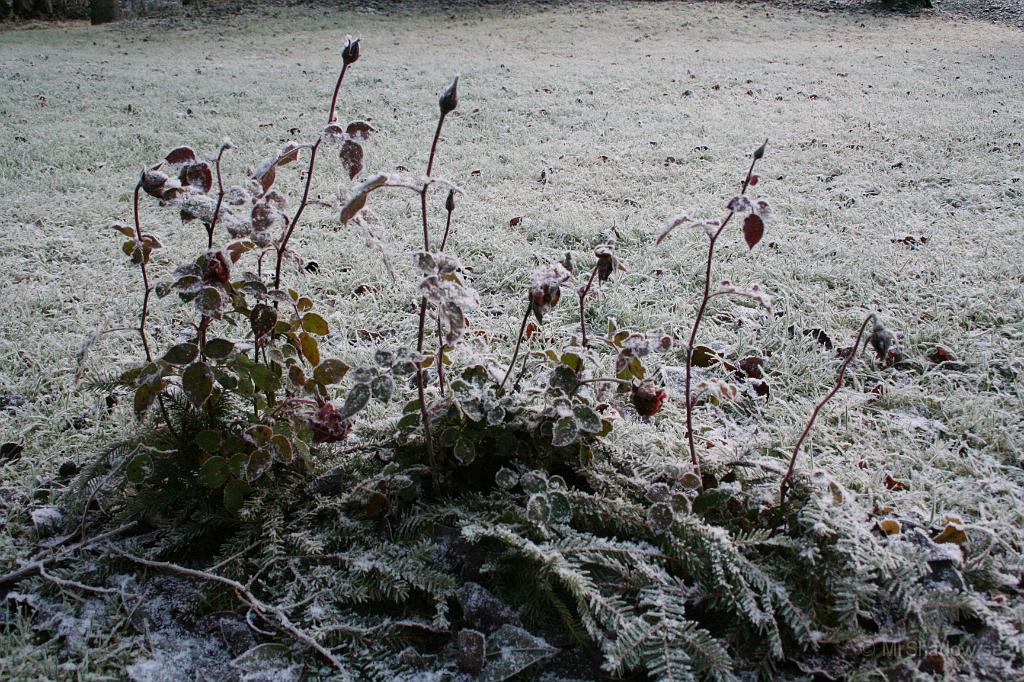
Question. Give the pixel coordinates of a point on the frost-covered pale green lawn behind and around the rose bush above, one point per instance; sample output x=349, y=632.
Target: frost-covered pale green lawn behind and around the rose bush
x=879, y=127
